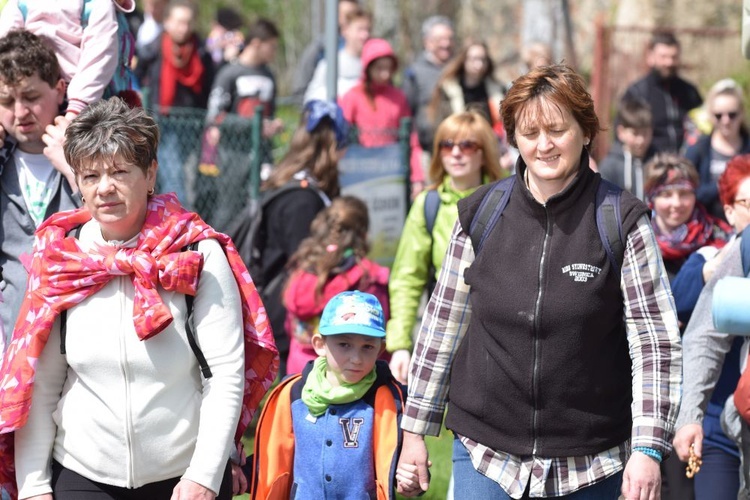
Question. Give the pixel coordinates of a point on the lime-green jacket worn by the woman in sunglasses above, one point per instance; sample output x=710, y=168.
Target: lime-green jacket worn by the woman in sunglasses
x=409, y=274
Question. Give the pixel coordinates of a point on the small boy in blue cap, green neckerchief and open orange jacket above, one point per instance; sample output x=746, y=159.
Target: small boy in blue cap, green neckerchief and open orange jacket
x=332, y=432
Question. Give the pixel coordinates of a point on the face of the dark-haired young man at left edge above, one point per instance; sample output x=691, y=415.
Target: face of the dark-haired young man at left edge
x=27, y=108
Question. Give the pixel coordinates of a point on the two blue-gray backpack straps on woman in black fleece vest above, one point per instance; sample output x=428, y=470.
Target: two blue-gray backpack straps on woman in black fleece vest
x=608, y=217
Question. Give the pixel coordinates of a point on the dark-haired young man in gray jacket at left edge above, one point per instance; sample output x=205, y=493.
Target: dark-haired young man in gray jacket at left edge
x=35, y=179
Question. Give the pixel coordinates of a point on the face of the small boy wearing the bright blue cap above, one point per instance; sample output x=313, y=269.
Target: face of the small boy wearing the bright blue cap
x=350, y=356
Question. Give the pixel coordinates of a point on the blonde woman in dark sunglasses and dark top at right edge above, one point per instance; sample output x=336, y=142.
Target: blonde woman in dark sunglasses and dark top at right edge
x=729, y=137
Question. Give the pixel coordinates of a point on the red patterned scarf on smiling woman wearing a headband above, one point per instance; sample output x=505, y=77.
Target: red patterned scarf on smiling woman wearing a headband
x=702, y=229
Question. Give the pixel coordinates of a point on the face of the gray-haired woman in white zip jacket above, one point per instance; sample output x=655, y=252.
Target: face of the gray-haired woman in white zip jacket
x=116, y=195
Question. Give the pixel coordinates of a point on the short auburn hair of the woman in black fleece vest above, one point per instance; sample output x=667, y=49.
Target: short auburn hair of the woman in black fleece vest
x=558, y=84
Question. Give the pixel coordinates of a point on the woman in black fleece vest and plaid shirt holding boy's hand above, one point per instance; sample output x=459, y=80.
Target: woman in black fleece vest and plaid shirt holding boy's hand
x=547, y=351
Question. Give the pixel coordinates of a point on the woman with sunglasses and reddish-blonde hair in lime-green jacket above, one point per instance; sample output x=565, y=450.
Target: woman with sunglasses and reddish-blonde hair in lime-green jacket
x=465, y=156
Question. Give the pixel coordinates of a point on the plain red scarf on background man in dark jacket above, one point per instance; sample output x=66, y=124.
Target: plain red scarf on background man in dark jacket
x=180, y=64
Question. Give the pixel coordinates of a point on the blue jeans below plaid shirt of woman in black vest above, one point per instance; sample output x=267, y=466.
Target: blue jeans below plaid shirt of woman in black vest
x=469, y=483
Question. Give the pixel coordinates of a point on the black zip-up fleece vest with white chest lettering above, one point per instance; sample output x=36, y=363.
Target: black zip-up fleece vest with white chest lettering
x=544, y=368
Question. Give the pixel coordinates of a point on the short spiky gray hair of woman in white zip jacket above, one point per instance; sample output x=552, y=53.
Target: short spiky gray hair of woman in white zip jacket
x=109, y=129
